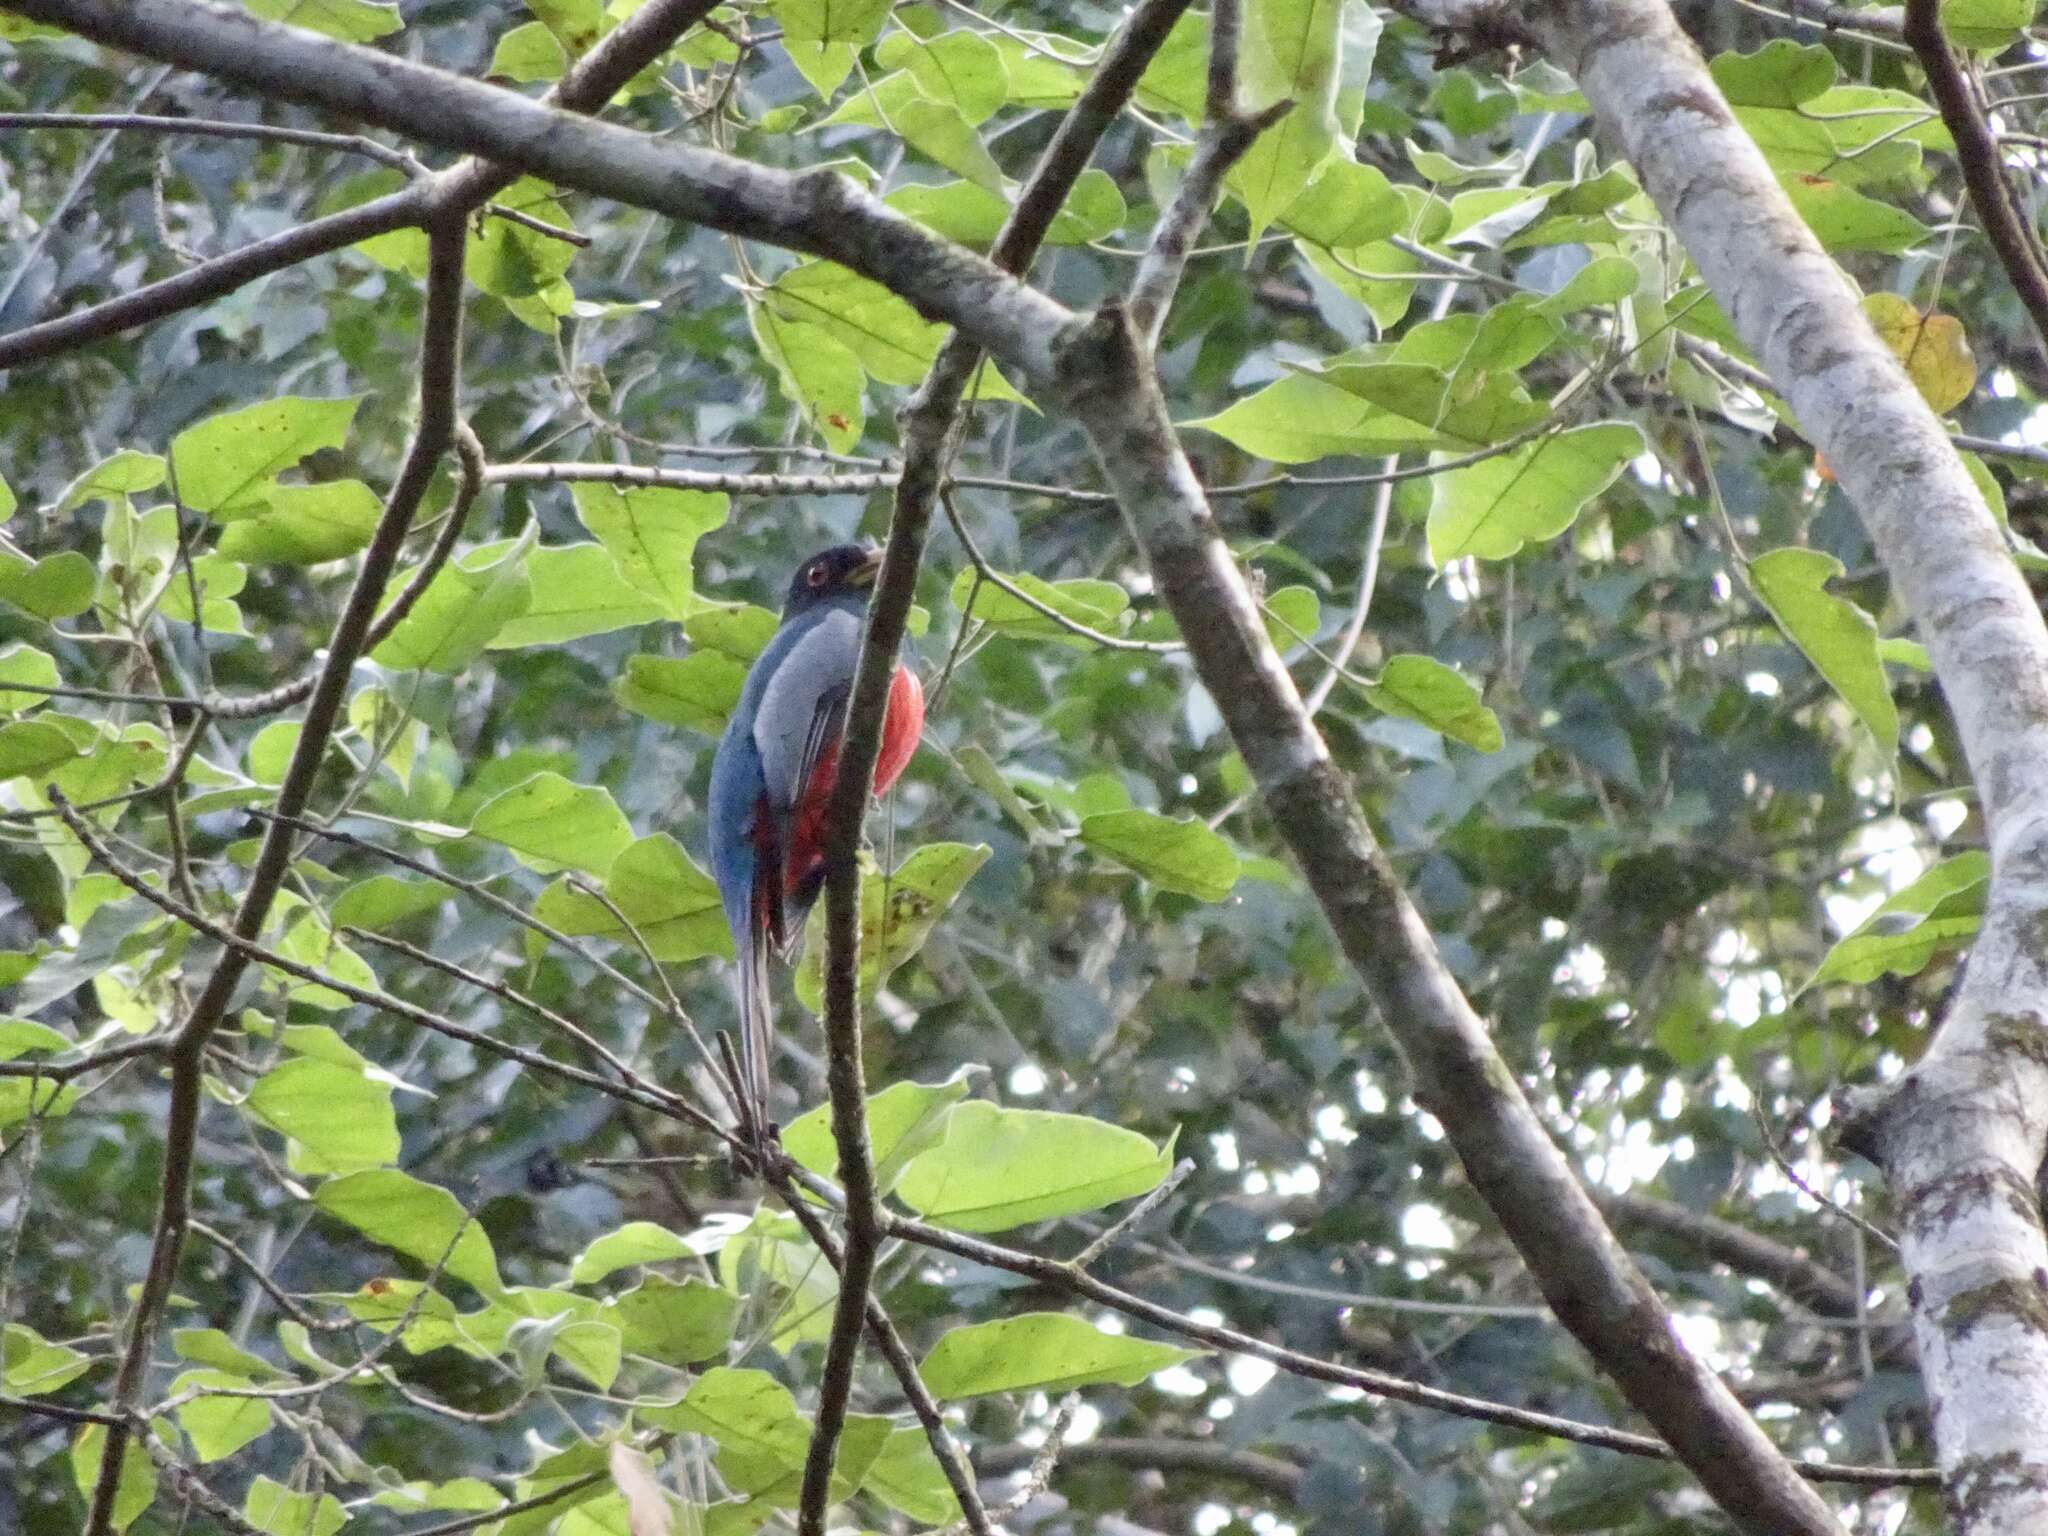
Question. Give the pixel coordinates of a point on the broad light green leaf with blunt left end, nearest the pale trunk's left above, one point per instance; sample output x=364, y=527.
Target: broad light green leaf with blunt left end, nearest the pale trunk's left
x=1496, y=507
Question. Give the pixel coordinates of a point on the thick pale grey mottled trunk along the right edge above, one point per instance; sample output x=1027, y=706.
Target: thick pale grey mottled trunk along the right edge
x=1963, y=1134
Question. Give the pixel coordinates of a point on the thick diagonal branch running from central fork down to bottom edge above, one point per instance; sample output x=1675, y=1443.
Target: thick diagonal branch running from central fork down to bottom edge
x=1508, y=1156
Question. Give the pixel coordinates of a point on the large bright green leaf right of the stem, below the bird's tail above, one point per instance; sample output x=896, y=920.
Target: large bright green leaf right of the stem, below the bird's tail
x=1009, y=1168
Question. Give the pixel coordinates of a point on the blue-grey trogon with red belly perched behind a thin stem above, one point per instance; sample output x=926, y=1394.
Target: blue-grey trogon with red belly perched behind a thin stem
x=775, y=771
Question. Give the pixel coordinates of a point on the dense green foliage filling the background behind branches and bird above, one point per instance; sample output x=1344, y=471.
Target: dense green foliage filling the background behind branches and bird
x=1629, y=708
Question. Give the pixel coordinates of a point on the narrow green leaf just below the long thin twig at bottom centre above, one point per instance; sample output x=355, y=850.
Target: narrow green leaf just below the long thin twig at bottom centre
x=1048, y=1353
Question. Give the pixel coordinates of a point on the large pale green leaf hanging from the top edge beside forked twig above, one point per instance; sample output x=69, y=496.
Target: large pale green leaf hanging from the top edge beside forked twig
x=1291, y=54
